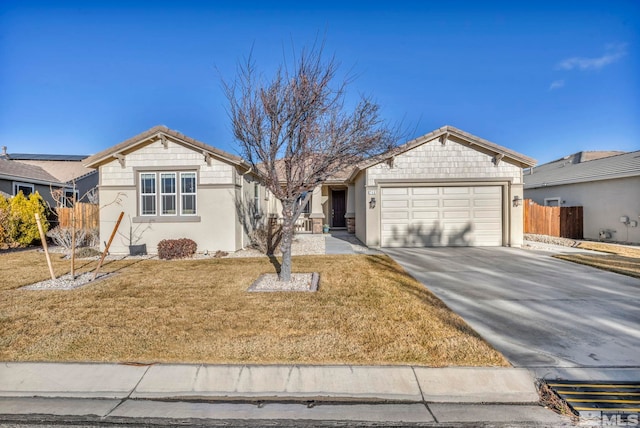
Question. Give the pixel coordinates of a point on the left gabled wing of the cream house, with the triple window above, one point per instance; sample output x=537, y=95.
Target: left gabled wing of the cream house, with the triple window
x=171, y=186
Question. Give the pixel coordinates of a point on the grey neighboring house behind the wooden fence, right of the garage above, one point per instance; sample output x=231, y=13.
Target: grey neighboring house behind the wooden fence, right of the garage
x=605, y=184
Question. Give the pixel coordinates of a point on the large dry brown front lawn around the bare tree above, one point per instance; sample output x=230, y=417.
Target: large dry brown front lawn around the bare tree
x=368, y=311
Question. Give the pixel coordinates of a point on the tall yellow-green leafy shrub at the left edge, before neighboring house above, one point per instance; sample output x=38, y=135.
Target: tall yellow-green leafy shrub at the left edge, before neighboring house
x=18, y=225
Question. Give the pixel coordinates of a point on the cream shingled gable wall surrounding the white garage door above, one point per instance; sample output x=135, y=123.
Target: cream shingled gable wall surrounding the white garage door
x=434, y=163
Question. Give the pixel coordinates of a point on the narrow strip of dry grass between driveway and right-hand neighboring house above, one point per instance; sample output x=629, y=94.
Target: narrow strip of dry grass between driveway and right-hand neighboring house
x=621, y=259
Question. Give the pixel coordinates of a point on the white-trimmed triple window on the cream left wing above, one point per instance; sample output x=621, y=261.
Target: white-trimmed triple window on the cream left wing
x=169, y=193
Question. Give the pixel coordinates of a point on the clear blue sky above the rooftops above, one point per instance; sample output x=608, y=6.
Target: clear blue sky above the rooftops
x=544, y=78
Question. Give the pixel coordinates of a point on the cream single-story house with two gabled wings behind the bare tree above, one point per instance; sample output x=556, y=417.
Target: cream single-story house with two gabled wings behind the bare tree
x=446, y=188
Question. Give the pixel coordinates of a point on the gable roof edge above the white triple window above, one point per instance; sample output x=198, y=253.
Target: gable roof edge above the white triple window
x=158, y=133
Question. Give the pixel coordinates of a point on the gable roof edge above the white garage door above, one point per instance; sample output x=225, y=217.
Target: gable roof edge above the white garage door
x=453, y=133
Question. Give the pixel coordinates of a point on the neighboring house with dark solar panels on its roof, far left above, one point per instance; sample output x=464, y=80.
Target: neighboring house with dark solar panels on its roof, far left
x=46, y=173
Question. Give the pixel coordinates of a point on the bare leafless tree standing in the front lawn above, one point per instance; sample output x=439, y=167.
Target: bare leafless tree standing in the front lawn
x=296, y=130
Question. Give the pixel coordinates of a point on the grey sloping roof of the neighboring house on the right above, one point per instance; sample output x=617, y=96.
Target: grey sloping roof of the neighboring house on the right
x=566, y=172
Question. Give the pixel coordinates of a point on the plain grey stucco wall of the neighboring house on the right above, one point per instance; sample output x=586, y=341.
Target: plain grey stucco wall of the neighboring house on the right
x=603, y=202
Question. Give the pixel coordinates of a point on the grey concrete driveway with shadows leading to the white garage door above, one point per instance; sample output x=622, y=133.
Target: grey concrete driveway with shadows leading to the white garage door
x=557, y=318
